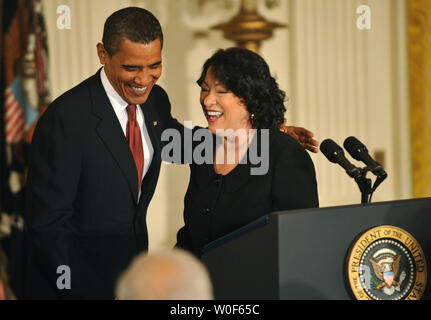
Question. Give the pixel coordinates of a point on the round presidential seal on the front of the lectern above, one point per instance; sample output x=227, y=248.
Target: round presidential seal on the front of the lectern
x=386, y=263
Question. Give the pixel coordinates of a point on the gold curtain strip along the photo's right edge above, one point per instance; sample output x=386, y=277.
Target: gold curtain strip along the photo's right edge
x=419, y=38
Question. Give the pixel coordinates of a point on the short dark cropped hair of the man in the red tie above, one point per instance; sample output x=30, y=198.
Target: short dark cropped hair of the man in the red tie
x=132, y=23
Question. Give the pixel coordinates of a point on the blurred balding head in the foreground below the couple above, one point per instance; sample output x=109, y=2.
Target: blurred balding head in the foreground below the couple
x=165, y=275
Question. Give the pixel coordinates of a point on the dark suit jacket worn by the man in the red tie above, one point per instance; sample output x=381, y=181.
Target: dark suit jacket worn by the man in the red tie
x=82, y=201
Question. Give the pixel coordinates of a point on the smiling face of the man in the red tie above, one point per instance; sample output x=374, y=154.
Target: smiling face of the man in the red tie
x=134, y=69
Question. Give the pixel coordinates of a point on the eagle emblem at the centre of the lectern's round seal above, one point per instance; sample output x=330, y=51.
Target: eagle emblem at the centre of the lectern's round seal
x=386, y=267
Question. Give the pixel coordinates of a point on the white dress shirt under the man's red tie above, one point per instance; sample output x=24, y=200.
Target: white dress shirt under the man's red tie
x=120, y=109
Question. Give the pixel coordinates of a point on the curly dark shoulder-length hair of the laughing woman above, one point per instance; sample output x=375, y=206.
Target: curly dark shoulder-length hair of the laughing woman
x=247, y=75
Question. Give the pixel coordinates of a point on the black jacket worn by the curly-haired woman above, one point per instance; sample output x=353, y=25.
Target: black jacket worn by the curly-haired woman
x=216, y=205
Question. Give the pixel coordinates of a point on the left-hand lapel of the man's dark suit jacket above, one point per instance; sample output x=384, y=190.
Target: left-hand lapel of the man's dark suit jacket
x=111, y=133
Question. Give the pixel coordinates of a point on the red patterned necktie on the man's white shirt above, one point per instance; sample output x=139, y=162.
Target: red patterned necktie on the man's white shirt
x=133, y=135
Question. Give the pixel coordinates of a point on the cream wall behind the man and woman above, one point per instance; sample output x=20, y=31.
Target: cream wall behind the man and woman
x=312, y=60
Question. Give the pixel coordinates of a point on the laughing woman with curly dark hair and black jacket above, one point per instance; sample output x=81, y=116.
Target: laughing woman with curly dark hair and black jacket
x=257, y=168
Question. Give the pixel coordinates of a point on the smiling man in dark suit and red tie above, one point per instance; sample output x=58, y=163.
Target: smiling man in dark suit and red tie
x=94, y=164
